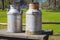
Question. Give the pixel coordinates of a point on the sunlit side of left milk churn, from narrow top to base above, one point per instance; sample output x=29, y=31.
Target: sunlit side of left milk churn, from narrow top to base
x=12, y=19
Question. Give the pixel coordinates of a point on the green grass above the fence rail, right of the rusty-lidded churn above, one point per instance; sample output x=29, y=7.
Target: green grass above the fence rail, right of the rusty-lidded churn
x=51, y=15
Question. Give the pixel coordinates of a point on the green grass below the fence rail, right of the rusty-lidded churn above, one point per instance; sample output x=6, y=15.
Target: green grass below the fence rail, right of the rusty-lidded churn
x=54, y=27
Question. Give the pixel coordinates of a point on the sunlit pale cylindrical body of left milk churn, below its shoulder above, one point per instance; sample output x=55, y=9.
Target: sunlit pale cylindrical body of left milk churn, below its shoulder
x=11, y=23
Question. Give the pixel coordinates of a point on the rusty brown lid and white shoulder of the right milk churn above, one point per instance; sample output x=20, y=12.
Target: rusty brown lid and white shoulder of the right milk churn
x=33, y=7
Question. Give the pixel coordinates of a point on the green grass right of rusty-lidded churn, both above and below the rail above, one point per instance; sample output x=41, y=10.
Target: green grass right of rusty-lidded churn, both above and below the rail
x=51, y=16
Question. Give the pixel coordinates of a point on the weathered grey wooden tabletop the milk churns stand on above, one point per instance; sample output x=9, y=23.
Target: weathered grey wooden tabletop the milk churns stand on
x=22, y=36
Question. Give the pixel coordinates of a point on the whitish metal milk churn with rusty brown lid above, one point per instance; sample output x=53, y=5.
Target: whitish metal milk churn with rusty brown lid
x=33, y=20
